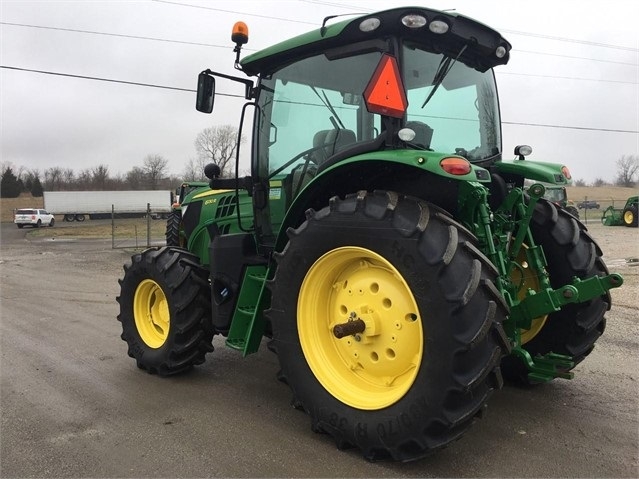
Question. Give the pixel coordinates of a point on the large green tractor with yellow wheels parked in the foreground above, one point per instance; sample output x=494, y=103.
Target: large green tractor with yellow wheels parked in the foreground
x=390, y=256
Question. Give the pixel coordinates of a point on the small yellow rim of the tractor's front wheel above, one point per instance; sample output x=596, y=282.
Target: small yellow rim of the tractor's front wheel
x=151, y=313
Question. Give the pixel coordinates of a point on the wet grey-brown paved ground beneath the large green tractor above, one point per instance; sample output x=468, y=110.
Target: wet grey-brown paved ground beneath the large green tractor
x=73, y=404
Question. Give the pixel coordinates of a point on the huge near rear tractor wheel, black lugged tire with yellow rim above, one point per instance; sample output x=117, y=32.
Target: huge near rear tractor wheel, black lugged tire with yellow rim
x=420, y=320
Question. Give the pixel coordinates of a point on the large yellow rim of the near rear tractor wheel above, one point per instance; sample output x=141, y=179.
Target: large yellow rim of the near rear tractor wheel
x=372, y=369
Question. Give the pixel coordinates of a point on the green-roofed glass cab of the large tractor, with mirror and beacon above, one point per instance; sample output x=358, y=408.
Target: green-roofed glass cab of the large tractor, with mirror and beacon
x=408, y=87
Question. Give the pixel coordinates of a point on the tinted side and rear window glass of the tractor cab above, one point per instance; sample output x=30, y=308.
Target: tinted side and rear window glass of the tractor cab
x=314, y=108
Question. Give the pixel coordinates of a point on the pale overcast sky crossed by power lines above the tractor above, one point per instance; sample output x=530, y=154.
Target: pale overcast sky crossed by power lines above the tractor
x=570, y=90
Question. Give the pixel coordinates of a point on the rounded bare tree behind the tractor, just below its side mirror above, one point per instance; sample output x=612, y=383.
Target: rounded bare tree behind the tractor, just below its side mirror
x=218, y=144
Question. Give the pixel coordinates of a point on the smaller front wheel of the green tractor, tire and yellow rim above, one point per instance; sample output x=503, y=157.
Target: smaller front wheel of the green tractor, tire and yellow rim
x=165, y=310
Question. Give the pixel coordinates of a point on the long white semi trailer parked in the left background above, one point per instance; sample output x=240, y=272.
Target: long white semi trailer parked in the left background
x=77, y=205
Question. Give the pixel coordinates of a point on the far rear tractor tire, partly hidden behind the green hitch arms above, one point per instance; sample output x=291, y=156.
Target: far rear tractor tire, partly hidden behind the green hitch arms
x=570, y=252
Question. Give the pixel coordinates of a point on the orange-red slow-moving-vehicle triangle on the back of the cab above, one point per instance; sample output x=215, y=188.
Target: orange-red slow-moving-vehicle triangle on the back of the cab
x=385, y=93
